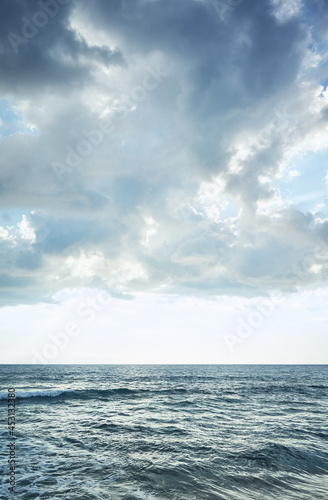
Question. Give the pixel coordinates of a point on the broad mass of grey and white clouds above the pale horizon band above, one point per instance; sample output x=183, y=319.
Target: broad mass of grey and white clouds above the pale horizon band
x=164, y=112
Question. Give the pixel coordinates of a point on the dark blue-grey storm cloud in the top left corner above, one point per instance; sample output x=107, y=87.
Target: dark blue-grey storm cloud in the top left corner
x=40, y=51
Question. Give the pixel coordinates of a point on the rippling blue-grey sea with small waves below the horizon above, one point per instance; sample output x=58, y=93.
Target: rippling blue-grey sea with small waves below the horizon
x=175, y=432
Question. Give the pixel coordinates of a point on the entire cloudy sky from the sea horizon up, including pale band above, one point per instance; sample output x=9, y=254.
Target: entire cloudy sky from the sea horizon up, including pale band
x=163, y=181
